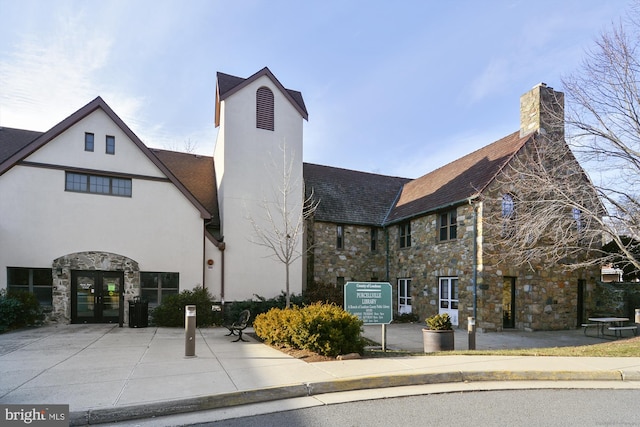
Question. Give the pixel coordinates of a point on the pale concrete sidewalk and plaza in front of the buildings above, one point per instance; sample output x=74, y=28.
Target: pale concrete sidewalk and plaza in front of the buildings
x=107, y=374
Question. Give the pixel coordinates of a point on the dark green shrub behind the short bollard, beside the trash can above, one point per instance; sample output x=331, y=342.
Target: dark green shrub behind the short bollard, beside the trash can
x=171, y=311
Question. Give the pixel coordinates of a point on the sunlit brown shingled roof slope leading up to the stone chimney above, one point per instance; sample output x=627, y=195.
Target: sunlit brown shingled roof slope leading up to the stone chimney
x=458, y=181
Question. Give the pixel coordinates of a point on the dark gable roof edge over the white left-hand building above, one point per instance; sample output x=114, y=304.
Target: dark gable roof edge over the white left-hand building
x=21, y=146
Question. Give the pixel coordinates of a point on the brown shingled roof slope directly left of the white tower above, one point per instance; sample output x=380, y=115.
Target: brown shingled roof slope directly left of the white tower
x=197, y=174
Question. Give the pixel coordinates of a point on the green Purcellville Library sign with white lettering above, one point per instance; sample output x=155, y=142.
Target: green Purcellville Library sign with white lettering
x=370, y=301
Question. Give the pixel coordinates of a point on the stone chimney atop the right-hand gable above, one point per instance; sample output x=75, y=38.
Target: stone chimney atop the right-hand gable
x=542, y=109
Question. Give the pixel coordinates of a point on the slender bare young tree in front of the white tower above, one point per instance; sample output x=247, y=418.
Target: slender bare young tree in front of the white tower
x=282, y=227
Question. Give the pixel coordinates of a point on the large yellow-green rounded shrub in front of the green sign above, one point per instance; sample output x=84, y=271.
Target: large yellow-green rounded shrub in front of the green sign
x=322, y=328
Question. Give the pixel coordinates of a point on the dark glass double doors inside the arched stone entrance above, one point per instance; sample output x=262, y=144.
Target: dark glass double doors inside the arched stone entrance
x=96, y=296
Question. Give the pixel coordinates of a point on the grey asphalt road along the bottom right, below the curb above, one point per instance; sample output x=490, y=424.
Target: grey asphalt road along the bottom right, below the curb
x=548, y=407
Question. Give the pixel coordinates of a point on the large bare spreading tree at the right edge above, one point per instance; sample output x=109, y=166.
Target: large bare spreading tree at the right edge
x=561, y=215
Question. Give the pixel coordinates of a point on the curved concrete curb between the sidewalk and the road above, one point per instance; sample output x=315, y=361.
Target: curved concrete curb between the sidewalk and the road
x=180, y=406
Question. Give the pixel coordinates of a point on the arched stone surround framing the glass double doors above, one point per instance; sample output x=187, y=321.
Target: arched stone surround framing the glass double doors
x=63, y=267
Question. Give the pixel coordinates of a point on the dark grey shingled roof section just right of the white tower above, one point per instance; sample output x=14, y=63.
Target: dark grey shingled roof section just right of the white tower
x=351, y=197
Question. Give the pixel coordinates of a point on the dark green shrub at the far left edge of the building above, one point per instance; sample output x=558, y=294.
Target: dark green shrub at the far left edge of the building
x=19, y=309
